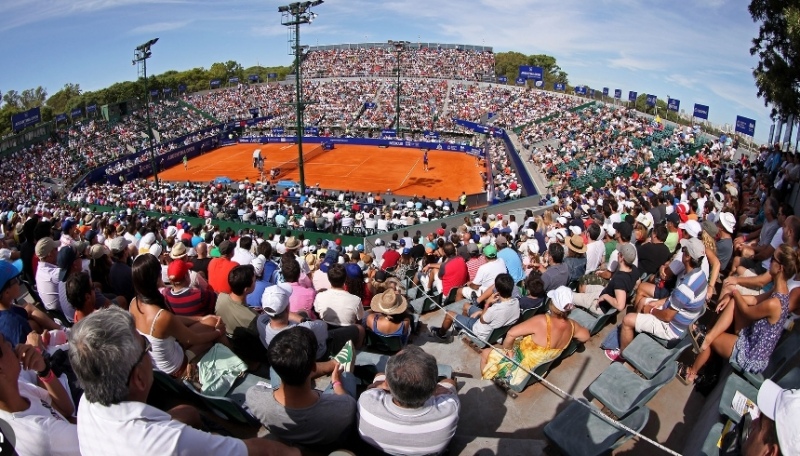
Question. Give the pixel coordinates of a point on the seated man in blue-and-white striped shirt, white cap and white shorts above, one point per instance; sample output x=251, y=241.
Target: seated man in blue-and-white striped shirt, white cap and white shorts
x=670, y=318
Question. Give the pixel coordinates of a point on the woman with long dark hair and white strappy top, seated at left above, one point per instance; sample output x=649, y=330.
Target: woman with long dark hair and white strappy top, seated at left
x=176, y=340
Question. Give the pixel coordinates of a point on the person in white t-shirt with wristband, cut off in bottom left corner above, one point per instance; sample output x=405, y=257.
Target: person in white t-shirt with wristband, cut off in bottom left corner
x=38, y=414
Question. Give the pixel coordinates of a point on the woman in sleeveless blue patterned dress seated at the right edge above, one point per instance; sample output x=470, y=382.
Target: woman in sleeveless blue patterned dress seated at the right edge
x=757, y=321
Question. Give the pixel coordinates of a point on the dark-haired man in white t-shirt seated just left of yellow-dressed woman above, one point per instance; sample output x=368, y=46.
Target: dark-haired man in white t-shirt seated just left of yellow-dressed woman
x=502, y=309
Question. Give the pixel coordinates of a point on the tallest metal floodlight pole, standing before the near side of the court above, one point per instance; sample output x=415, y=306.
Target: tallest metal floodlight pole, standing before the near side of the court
x=292, y=15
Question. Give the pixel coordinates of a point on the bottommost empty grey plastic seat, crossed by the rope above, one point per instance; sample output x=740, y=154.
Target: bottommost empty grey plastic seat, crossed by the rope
x=580, y=431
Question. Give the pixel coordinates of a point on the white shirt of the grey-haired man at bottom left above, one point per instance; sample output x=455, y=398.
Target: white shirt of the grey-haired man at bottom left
x=135, y=428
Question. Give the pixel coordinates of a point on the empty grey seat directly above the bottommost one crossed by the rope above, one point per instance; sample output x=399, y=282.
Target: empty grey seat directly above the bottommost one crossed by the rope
x=622, y=391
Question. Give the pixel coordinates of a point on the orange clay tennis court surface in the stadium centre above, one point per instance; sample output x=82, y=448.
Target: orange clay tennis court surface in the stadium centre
x=347, y=167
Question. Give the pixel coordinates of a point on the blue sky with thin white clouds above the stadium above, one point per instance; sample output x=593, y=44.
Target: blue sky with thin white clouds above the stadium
x=692, y=50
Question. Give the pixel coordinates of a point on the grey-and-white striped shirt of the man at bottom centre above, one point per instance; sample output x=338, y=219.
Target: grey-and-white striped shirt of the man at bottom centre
x=399, y=431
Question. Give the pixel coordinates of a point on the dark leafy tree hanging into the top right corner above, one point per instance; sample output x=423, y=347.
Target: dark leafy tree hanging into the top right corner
x=777, y=46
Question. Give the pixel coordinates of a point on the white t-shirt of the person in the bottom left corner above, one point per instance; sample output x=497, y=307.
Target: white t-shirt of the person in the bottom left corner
x=41, y=430
